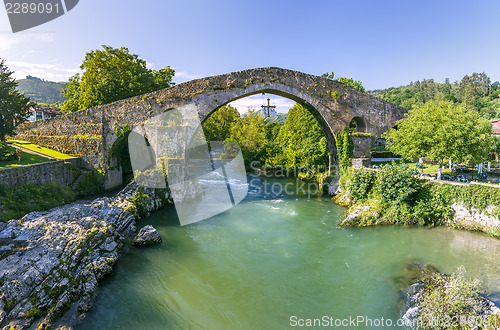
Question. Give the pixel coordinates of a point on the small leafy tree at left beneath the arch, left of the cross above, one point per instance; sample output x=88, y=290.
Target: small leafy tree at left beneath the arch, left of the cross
x=217, y=127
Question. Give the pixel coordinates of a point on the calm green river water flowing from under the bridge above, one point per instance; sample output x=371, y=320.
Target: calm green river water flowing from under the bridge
x=273, y=257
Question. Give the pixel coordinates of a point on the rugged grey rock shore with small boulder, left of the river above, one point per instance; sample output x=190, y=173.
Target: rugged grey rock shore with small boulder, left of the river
x=51, y=262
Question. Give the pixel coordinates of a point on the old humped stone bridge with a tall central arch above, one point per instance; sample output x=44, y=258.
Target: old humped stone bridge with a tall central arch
x=91, y=133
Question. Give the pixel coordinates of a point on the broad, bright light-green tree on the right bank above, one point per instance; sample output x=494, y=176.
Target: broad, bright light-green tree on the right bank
x=441, y=131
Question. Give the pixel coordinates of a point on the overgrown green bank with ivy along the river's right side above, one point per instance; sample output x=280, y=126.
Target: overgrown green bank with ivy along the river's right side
x=391, y=195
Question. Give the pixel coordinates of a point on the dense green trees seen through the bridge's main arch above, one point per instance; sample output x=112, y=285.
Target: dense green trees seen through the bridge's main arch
x=299, y=142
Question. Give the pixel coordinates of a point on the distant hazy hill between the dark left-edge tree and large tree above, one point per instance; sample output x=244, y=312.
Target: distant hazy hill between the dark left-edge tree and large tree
x=41, y=91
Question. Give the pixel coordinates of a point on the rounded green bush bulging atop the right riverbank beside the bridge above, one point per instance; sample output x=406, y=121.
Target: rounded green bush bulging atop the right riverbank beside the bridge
x=395, y=184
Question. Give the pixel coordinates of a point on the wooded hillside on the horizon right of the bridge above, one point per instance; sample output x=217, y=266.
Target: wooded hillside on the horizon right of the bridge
x=475, y=92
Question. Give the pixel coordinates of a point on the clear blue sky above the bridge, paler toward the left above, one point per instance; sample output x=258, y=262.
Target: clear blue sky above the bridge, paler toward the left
x=381, y=43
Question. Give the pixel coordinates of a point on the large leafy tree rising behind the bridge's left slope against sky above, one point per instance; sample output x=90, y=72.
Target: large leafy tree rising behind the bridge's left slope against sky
x=110, y=75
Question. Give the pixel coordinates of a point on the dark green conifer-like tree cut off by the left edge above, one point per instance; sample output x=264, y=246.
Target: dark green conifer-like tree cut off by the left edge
x=14, y=106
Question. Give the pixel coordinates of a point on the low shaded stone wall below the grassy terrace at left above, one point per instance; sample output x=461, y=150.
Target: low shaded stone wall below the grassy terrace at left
x=64, y=172
